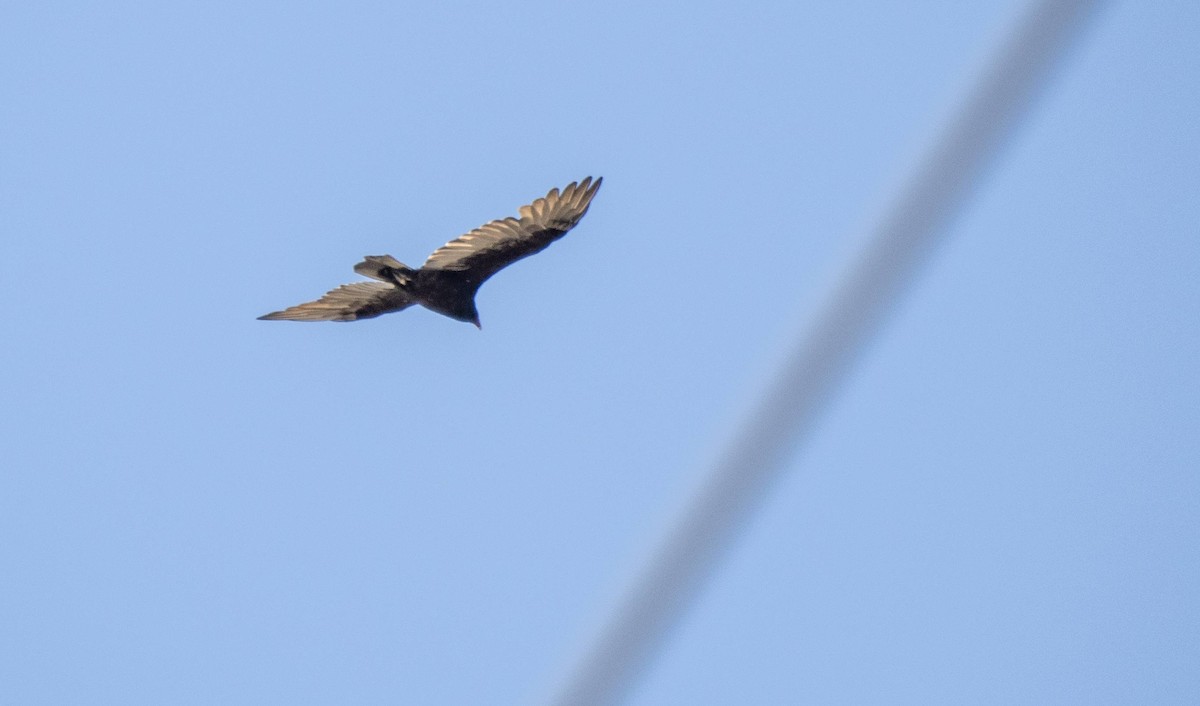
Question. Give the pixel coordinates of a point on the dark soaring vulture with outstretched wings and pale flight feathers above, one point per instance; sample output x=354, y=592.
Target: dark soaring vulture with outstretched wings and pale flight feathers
x=449, y=279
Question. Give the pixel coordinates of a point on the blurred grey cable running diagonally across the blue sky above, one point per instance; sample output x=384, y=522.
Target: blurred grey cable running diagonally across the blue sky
x=913, y=225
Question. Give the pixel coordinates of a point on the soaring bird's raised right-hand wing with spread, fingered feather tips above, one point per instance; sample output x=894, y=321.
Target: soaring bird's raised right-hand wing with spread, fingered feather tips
x=484, y=252
